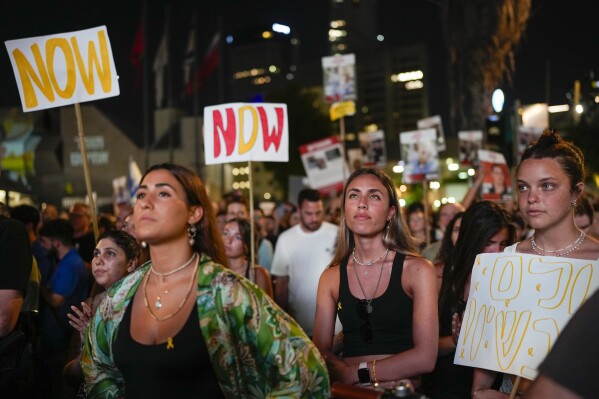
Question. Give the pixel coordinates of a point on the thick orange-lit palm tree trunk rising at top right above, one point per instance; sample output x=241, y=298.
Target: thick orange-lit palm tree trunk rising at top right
x=481, y=38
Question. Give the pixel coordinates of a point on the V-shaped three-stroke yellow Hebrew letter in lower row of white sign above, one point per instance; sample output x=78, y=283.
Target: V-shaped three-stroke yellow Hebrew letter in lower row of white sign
x=510, y=329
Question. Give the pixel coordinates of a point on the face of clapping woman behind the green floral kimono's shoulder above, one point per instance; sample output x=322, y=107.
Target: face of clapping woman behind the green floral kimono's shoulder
x=109, y=263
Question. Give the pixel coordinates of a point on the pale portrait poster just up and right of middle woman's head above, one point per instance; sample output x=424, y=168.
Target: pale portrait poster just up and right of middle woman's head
x=419, y=152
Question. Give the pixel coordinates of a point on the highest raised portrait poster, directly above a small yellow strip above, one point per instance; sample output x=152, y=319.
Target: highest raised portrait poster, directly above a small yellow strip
x=339, y=76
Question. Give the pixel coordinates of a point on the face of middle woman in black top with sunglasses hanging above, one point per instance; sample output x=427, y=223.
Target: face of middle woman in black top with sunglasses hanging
x=367, y=206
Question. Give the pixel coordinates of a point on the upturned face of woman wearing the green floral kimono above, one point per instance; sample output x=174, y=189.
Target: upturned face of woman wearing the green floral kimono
x=161, y=212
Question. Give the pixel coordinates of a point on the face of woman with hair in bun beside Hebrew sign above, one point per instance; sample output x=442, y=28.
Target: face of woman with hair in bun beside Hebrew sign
x=544, y=192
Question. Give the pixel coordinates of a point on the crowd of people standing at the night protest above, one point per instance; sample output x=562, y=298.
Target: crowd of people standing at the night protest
x=182, y=296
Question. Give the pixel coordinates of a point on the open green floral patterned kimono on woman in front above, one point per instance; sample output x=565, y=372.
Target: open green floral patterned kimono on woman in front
x=266, y=354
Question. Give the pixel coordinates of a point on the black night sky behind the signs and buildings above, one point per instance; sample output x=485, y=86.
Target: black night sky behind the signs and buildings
x=561, y=34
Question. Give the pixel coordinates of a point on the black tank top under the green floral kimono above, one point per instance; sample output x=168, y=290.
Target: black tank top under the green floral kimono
x=153, y=371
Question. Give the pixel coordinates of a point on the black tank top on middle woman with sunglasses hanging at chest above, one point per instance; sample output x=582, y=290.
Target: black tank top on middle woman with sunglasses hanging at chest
x=390, y=320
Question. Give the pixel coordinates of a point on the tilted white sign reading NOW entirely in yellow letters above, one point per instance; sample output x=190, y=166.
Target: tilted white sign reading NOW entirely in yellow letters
x=62, y=69
